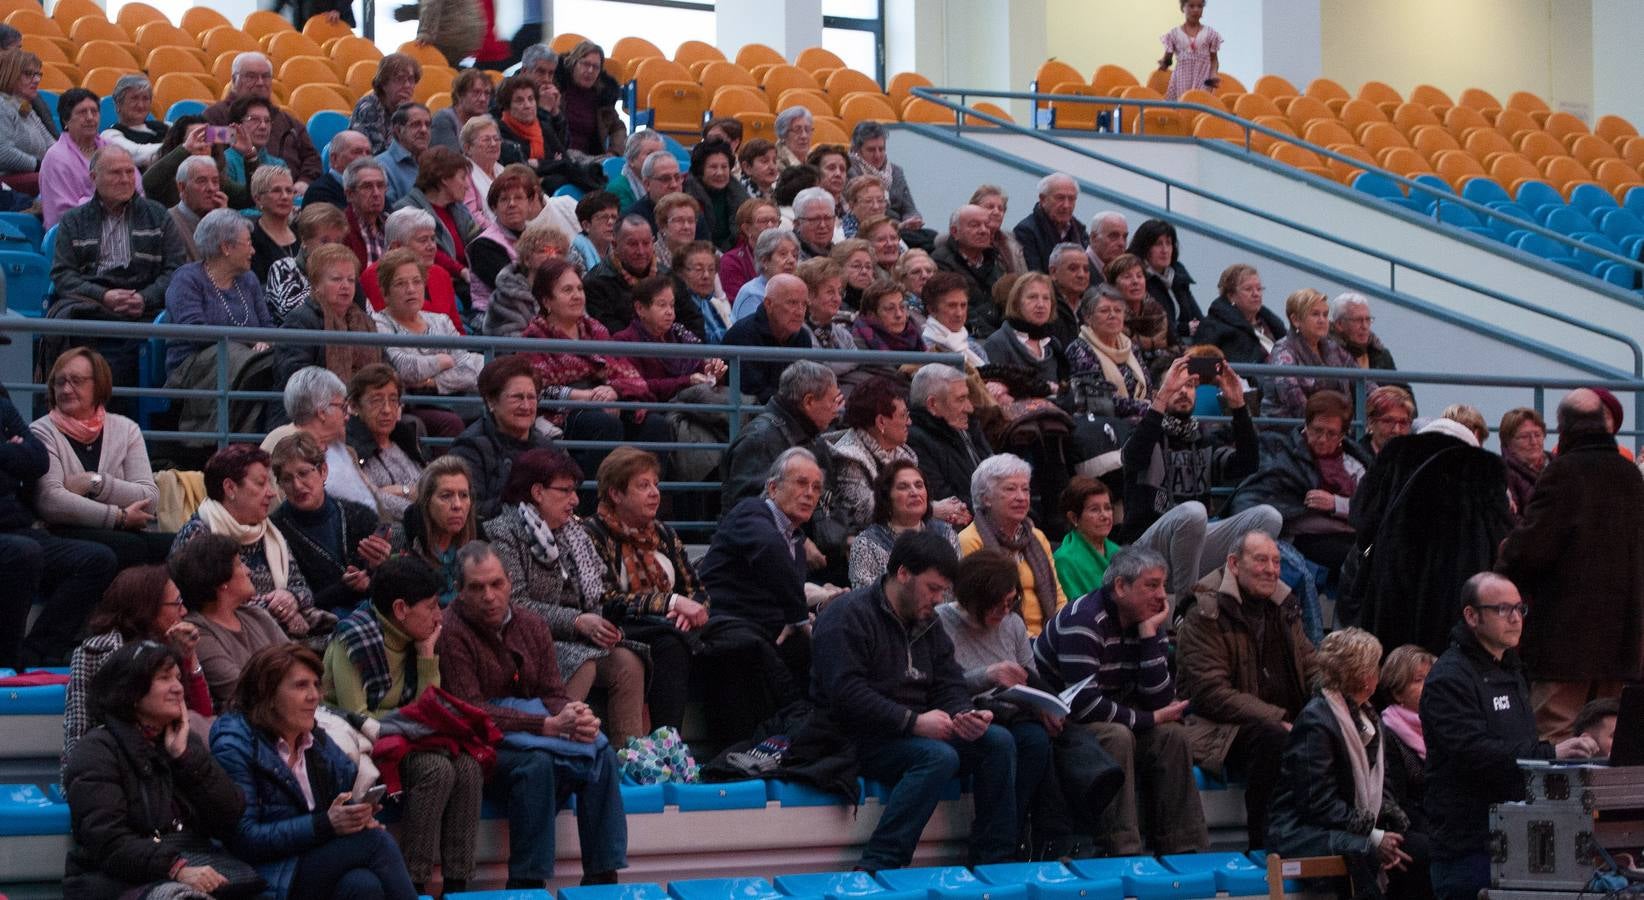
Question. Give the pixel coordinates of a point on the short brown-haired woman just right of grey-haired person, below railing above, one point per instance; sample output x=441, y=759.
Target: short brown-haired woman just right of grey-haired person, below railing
x=384, y=440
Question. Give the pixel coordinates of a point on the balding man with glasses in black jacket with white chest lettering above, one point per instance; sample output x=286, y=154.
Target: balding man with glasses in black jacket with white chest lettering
x=1477, y=721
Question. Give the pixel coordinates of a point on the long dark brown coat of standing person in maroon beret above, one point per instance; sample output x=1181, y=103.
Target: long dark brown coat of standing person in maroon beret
x=1579, y=560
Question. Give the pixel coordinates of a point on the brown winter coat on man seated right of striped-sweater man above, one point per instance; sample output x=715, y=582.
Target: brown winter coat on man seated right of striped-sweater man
x=1219, y=670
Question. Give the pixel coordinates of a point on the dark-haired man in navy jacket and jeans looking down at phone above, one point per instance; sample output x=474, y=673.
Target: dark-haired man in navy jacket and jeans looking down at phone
x=885, y=672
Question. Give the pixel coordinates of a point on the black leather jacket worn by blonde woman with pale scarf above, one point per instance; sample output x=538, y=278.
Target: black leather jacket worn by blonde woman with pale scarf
x=1314, y=800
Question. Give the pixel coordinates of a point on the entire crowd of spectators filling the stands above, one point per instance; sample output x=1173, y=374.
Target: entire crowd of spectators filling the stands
x=894, y=544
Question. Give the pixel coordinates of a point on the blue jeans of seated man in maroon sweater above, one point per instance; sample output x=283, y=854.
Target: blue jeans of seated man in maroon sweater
x=542, y=781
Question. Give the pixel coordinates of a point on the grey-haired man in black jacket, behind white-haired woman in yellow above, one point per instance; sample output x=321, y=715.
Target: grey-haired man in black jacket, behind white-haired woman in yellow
x=944, y=432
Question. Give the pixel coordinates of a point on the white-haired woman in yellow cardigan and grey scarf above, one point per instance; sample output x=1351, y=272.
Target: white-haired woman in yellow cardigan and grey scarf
x=1002, y=499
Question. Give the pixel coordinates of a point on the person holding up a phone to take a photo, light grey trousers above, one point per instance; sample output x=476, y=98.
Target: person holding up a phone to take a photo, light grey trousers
x=1171, y=466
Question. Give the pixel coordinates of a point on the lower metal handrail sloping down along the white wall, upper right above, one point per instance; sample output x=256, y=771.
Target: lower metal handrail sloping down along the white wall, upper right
x=1347, y=279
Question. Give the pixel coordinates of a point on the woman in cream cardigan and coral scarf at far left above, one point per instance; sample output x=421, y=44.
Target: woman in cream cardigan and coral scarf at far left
x=99, y=485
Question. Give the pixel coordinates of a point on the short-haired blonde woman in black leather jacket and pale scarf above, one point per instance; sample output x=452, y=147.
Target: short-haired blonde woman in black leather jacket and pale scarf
x=1332, y=796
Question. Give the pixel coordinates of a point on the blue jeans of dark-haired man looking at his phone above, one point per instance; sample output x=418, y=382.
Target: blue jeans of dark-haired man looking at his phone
x=920, y=769
